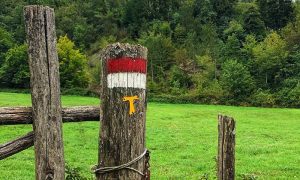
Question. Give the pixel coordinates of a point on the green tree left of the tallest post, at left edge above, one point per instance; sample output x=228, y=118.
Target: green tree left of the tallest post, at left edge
x=15, y=70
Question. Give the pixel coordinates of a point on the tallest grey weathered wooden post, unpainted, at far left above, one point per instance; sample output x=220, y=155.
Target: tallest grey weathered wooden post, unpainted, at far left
x=45, y=92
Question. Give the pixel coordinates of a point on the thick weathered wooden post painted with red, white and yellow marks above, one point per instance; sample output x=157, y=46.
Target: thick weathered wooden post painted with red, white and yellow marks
x=122, y=152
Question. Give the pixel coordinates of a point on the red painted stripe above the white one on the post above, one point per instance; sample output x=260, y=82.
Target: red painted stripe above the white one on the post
x=126, y=64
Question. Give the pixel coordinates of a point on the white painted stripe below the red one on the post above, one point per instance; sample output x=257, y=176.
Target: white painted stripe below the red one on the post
x=130, y=80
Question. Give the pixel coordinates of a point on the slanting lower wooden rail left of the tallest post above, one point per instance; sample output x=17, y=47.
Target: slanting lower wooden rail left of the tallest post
x=16, y=146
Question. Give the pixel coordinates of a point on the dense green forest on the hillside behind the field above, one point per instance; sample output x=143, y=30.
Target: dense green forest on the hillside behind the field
x=233, y=52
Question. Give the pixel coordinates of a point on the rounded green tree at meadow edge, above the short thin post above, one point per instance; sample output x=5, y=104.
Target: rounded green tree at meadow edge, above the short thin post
x=237, y=81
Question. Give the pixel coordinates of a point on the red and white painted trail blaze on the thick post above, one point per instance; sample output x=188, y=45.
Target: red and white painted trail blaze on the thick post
x=127, y=73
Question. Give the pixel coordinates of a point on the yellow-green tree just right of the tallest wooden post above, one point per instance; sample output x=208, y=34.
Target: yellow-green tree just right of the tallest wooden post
x=72, y=63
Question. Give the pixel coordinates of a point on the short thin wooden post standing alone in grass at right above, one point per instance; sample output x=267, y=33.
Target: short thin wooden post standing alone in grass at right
x=226, y=148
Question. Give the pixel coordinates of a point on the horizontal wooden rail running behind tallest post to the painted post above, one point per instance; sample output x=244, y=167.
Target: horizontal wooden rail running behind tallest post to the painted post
x=23, y=115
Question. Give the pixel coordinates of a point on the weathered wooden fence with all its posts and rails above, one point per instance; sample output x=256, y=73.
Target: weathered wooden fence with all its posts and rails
x=122, y=152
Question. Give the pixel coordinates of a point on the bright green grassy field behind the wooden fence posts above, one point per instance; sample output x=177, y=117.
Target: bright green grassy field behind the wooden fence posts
x=182, y=140
